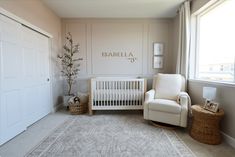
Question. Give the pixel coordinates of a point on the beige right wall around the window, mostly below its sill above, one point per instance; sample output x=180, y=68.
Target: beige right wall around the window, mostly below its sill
x=226, y=92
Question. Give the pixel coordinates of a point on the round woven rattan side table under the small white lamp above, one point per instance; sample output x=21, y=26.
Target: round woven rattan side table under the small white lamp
x=205, y=126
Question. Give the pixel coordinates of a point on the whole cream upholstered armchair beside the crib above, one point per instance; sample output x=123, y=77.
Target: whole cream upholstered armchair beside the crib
x=167, y=102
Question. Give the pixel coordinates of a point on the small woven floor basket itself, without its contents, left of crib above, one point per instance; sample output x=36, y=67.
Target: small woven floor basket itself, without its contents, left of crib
x=78, y=108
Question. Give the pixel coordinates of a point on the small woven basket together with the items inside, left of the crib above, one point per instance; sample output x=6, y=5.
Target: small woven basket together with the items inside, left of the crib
x=77, y=107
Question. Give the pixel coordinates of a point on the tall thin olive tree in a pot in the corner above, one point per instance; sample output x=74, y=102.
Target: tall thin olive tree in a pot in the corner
x=70, y=65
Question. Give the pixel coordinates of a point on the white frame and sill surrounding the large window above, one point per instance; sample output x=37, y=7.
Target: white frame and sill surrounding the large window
x=194, y=52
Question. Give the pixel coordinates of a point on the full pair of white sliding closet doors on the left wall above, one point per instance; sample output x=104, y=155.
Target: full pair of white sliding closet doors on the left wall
x=24, y=78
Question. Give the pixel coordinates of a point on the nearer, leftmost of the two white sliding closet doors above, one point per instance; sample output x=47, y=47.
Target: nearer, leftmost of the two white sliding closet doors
x=11, y=110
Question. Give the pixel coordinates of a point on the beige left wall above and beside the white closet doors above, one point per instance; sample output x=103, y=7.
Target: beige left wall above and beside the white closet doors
x=35, y=12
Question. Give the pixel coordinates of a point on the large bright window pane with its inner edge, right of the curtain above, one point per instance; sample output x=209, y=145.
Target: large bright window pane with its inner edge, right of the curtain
x=215, y=44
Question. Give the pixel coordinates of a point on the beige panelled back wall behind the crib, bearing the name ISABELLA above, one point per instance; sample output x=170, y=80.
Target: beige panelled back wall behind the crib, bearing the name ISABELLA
x=135, y=36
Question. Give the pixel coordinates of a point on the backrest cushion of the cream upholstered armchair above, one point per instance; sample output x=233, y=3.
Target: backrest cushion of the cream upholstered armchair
x=167, y=86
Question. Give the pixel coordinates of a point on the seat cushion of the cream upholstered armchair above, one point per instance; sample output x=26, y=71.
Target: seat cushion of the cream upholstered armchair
x=164, y=105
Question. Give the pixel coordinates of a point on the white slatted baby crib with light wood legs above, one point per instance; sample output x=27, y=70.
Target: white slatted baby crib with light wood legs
x=117, y=93
